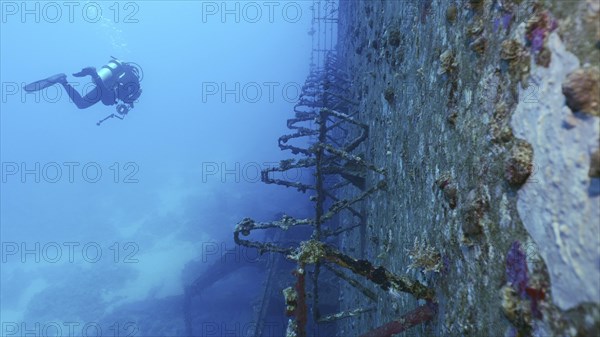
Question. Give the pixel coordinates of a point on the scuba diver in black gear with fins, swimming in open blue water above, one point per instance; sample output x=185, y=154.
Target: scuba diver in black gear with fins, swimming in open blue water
x=115, y=83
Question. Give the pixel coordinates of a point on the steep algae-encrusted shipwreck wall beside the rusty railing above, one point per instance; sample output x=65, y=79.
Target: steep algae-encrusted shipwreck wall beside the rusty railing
x=488, y=198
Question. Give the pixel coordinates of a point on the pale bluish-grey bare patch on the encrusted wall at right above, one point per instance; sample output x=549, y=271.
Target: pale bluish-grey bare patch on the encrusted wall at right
x=558, y=210
